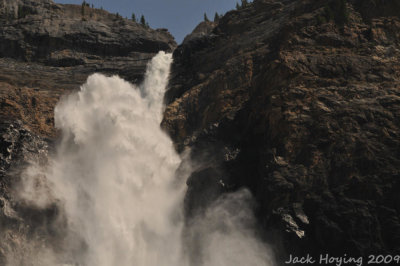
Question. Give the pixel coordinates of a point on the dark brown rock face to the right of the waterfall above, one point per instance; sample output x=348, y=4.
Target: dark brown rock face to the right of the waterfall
x=303, y=111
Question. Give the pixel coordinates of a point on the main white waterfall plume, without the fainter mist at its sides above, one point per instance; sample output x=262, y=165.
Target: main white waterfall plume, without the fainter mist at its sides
x=115, y=171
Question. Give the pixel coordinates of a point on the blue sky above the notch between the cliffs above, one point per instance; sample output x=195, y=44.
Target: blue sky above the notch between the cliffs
x=178, y=16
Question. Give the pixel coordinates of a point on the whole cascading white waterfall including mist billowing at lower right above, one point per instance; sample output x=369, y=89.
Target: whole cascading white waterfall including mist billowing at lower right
x=114, y=177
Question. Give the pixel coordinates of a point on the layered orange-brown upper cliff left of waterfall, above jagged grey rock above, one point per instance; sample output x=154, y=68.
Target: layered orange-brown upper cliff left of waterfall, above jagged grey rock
x=47, y=49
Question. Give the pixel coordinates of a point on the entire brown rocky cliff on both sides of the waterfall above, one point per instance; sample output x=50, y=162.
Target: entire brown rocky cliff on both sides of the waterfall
x=297, y=100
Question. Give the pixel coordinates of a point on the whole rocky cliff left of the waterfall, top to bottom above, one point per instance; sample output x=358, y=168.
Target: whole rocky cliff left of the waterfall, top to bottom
x=47, y=50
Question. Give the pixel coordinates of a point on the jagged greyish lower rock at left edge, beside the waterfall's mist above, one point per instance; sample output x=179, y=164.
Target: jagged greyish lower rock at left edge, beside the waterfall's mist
x=20, y=223
